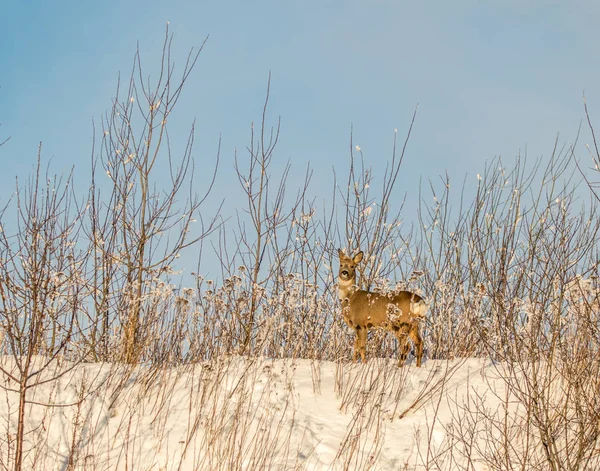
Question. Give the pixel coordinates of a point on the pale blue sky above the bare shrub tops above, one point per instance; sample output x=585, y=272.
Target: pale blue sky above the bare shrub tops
x=490, y=78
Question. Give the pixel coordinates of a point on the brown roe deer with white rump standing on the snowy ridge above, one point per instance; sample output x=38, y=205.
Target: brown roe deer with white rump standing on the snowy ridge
x=399, y=313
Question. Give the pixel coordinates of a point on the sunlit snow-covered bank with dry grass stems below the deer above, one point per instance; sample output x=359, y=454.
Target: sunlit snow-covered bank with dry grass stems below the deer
x=244, y=413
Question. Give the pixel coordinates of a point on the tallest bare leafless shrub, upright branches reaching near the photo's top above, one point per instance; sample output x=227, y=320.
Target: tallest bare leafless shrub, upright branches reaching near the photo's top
x=141, y=227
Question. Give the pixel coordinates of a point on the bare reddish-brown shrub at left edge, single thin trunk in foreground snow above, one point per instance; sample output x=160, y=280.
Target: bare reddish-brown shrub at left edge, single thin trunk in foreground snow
x=42, y=287
